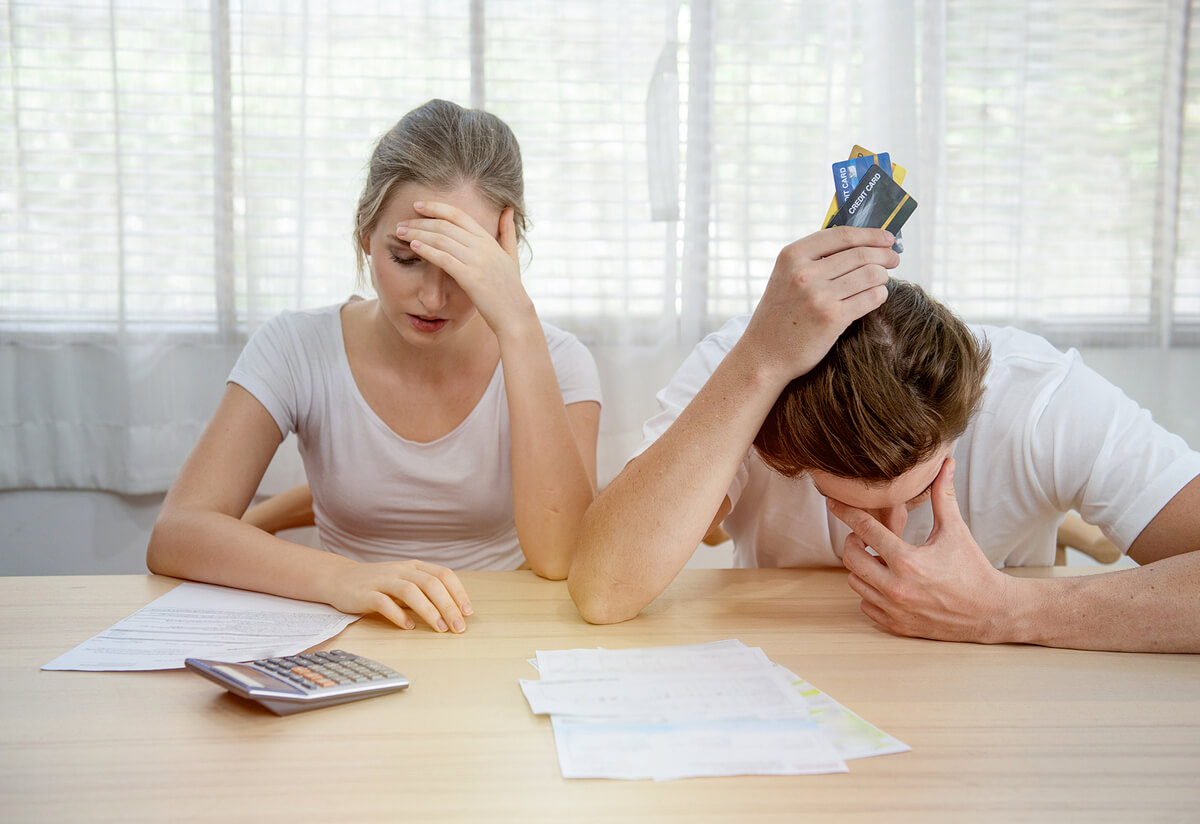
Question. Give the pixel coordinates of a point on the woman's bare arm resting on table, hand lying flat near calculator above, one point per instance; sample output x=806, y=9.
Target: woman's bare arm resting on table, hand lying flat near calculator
x=200, y=534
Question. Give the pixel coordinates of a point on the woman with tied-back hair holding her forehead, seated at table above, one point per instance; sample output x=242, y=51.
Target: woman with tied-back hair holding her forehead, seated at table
x=442, y=425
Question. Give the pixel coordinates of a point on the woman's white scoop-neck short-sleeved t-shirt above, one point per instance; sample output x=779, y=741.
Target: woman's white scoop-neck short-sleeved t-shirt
x=377, y=496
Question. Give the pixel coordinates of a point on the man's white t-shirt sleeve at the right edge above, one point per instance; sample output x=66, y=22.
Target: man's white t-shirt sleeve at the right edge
x=1097, y=452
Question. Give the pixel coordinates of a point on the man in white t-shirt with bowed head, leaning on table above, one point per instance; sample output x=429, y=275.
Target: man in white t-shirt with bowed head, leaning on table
x=838, y=418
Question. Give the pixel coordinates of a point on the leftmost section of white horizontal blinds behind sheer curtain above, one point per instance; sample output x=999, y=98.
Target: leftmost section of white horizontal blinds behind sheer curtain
x=109, y=225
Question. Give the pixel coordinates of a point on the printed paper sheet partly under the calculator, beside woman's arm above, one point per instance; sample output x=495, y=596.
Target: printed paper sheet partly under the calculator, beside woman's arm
x=206, y=622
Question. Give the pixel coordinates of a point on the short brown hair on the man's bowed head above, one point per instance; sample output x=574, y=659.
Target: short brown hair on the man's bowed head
x=899, y=383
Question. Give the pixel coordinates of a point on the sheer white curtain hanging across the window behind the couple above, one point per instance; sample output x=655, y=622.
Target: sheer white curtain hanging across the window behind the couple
x=176, y=172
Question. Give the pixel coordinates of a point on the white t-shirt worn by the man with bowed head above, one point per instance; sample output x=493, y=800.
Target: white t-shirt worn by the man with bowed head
x=1051, y=436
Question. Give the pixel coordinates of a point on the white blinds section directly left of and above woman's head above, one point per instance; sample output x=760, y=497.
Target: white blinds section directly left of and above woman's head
x=315, y=87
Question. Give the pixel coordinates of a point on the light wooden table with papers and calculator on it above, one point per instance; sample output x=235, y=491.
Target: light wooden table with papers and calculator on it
x=998, y=733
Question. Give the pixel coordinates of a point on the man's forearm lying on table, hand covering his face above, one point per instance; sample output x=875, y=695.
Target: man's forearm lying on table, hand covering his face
x=949, y=591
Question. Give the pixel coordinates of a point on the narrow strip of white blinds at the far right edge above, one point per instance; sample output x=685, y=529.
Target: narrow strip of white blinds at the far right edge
x=1186, y=299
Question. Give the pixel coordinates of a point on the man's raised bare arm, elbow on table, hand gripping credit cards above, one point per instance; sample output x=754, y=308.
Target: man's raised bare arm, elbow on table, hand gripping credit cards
x=650, y=520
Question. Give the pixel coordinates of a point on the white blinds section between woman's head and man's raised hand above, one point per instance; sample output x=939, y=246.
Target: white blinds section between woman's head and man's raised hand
x=571, y=77
